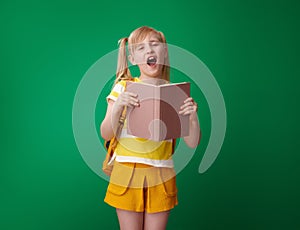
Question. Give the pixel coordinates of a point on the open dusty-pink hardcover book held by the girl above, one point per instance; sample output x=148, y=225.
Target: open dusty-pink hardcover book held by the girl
x=157, y=117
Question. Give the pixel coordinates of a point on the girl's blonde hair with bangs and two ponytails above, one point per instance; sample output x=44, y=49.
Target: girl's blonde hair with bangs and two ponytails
x=136, y=36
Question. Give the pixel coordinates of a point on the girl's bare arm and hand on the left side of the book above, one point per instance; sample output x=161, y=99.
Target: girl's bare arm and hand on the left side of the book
x=113, y=113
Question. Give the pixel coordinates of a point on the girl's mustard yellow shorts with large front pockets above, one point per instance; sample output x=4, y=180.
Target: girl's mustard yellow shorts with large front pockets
x=139, y=187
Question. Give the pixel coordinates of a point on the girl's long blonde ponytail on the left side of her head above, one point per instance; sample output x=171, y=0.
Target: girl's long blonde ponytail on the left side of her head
x=123, y=72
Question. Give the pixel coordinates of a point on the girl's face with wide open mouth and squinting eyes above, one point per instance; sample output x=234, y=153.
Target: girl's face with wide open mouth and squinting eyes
x=149, y=55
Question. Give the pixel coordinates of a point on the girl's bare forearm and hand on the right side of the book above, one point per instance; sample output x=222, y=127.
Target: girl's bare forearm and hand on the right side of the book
x=190, y=108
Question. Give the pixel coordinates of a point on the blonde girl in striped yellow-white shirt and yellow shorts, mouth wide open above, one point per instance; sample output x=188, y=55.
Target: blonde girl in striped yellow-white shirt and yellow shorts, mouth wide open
x=142, y=185
